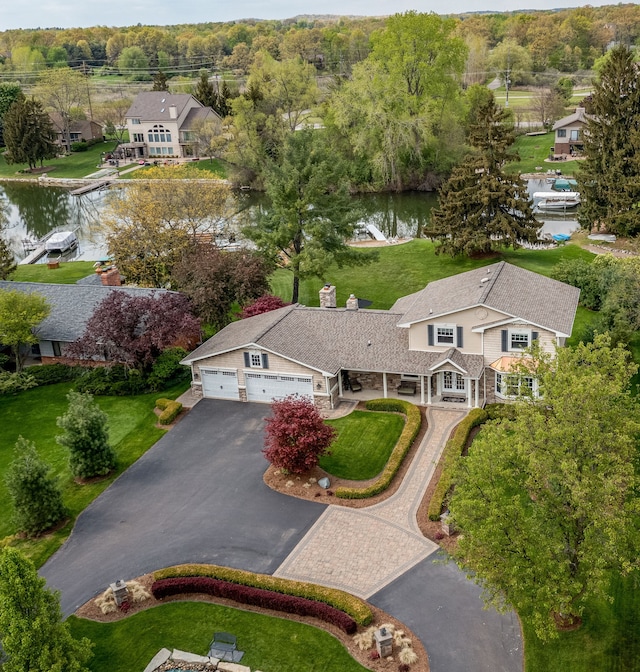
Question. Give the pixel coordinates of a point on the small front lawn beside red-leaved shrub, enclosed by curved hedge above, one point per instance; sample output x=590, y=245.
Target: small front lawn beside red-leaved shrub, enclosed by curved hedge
x=365, y=441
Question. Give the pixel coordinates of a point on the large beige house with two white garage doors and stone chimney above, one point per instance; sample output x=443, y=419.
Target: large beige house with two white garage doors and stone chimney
x=455, y=341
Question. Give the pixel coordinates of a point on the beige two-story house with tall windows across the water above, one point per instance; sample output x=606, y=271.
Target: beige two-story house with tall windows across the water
x=163, y=125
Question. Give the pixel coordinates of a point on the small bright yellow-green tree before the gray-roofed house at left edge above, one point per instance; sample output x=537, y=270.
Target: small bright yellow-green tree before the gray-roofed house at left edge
x=20, y=314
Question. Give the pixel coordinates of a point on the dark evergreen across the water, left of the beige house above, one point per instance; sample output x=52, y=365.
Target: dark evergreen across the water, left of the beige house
x=28, y=133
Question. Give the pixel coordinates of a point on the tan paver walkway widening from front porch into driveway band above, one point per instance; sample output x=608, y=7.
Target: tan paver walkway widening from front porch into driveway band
x=363, y=550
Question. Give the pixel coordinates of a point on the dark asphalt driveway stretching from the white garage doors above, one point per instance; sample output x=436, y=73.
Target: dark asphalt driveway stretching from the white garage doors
x=196, y=496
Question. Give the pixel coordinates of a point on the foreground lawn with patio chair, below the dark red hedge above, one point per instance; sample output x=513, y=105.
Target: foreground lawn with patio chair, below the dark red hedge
x=270, y=644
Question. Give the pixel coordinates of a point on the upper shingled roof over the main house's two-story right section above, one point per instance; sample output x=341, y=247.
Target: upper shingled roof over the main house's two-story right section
x=508, y=289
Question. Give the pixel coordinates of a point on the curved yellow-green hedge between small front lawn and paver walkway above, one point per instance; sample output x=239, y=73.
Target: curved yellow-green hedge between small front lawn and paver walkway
x=409, y=433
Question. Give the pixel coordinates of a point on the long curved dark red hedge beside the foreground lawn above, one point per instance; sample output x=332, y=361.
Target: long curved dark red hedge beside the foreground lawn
x=267, y=599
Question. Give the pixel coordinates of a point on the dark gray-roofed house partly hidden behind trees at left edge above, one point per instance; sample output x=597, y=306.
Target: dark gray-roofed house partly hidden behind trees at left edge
x=72, y=306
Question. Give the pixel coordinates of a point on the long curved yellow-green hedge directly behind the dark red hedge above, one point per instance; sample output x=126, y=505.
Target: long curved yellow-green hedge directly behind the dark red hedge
x=344, y=602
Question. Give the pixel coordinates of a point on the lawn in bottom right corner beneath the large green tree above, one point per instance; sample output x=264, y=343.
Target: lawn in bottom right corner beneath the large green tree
x=608, y=640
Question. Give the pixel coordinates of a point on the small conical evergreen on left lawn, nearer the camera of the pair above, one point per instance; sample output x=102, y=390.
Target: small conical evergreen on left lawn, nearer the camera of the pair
x=36, y=496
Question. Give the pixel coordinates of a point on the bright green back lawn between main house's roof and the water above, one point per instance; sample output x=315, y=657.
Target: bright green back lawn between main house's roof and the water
x=402, y=269
